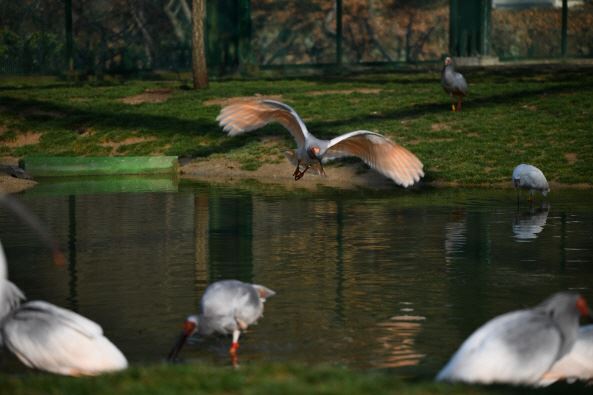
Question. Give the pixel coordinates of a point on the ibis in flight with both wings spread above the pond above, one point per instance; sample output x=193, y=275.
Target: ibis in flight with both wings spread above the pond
x=380, y=153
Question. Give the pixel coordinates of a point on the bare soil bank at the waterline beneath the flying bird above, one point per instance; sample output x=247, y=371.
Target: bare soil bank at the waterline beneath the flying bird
x=342, y=176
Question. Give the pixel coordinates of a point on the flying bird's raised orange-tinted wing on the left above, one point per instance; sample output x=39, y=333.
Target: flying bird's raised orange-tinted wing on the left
x=245, y=116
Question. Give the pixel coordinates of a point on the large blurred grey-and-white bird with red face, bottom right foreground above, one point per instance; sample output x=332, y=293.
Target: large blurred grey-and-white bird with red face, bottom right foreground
x=520, y=346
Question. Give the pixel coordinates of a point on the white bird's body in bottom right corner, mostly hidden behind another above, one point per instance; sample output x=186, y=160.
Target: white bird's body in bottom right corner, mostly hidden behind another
x=578, y=363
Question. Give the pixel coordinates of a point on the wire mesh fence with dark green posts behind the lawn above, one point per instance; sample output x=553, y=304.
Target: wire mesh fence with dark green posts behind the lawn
x=128, y=36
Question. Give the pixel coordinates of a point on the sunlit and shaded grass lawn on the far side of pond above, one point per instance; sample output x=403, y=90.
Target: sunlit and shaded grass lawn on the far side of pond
x=541, y=116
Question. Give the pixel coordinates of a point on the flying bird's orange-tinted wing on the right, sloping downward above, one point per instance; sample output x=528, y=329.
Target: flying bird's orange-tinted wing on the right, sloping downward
x=390, y=159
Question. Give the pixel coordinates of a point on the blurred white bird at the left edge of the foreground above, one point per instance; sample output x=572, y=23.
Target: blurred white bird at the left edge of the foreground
x=47, y=337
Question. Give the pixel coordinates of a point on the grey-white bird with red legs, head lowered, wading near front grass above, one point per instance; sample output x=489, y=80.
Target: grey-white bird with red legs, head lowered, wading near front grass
x=227, y=307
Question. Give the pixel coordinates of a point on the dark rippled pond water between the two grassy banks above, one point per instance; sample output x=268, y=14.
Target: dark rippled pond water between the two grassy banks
x=394, y=279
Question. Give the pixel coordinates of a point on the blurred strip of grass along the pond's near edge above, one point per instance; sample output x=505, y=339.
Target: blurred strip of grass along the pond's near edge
x=255, y=379
